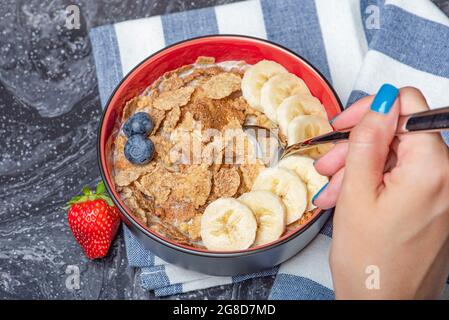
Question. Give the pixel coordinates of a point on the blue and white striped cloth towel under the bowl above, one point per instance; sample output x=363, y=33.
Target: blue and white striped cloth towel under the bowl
x=357, y=44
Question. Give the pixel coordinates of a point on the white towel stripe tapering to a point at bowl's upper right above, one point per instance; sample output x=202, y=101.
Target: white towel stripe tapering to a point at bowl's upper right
x=344, y=40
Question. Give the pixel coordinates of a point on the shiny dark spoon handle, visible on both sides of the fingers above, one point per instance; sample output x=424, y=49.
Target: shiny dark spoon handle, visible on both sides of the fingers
x=426, y=121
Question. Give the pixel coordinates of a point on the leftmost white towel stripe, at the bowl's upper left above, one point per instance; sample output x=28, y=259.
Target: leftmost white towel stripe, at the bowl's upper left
x=137, y=39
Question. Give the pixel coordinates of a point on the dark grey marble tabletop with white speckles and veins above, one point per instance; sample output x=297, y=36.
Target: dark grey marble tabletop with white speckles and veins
x=49, y=113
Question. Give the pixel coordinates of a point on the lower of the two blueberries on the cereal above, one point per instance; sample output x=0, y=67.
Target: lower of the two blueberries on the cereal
x=139, y=149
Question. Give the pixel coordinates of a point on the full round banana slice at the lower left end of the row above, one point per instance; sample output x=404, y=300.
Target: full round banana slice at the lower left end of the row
x=228, y=225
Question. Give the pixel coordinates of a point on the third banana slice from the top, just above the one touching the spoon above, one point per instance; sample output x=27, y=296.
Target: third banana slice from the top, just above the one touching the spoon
x=297, y=105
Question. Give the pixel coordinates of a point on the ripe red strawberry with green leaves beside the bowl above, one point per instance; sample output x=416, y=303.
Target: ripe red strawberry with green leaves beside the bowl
x=94, y=221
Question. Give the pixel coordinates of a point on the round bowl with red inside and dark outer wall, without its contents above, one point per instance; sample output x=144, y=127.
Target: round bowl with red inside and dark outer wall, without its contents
x=222, y=48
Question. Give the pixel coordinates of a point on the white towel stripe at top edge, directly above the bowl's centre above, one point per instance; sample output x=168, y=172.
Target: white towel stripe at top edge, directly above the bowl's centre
x=244, y=18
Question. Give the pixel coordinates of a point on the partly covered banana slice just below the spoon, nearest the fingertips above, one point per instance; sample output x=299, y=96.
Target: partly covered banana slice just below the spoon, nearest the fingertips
x=304, y=168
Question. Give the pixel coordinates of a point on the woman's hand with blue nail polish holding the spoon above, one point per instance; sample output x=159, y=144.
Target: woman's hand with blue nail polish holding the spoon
x=392, y=202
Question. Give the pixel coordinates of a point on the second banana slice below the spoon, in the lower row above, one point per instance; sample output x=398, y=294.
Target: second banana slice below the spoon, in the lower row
x=288, y=186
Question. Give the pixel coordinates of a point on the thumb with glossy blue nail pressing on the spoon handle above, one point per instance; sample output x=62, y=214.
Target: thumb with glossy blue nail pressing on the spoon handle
x=369, y=143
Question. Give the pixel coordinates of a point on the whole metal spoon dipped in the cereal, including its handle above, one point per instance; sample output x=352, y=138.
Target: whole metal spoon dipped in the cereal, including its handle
x=427, y=121
